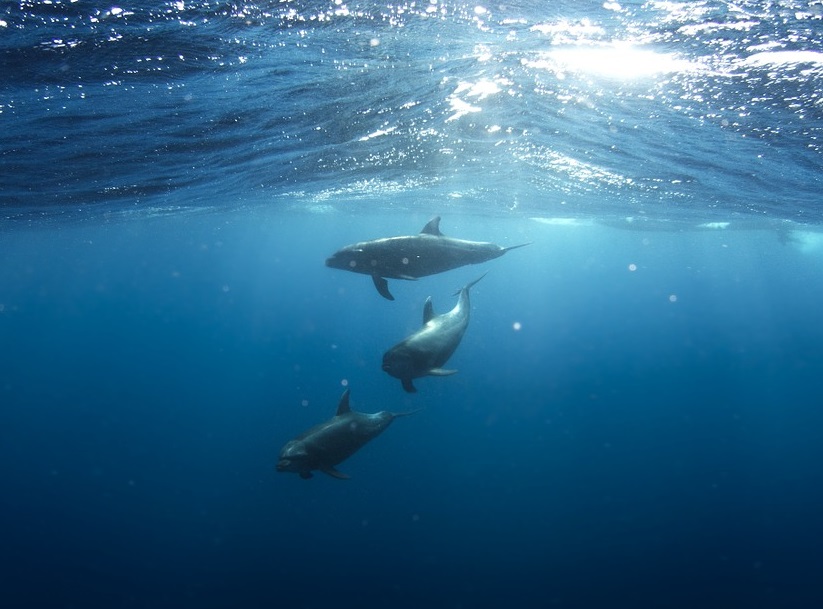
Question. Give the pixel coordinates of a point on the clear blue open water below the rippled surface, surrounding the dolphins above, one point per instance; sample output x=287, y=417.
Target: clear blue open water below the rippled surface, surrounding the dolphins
x=646, y=438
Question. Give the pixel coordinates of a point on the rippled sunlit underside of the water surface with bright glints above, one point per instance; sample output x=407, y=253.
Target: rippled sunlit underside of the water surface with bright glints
x=661, y=108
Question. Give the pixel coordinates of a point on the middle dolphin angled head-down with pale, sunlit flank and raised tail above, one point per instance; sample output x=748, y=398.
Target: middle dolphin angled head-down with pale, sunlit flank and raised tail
x=426, y=350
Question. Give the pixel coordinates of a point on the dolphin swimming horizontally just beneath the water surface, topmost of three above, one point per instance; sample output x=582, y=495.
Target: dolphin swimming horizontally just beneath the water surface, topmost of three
x=413, y=256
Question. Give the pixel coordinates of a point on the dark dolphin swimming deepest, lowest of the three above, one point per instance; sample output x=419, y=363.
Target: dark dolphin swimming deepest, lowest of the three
x=327, y=444
